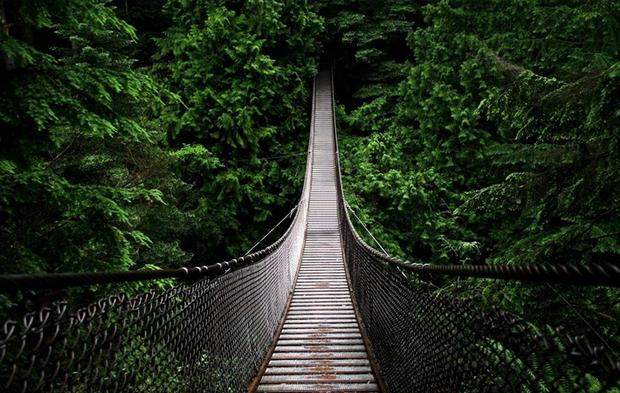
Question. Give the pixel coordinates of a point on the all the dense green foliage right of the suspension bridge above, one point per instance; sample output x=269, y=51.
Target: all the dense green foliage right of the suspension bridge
x=497, y=135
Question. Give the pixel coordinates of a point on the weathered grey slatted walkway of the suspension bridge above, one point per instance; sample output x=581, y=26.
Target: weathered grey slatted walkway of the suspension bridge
x=320, y=348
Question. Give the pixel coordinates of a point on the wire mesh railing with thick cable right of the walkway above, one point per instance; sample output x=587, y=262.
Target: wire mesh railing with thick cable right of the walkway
x=423, y=341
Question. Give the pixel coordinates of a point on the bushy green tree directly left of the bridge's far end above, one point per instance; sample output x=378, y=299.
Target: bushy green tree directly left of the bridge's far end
x=240, y=70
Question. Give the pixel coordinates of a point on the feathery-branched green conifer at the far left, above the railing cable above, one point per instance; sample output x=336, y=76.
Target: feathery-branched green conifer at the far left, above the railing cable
x=79, y=162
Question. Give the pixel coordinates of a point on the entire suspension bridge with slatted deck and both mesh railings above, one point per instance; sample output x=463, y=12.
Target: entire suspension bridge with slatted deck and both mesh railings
x=317, y=311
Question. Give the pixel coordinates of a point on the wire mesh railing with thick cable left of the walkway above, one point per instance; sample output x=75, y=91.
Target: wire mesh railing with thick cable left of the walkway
x=209, y=333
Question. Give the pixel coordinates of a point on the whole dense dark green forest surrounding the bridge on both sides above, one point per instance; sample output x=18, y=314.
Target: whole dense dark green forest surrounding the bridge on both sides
x=150, y=134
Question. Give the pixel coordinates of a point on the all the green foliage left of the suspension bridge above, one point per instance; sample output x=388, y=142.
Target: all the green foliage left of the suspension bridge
x=139, y=135
